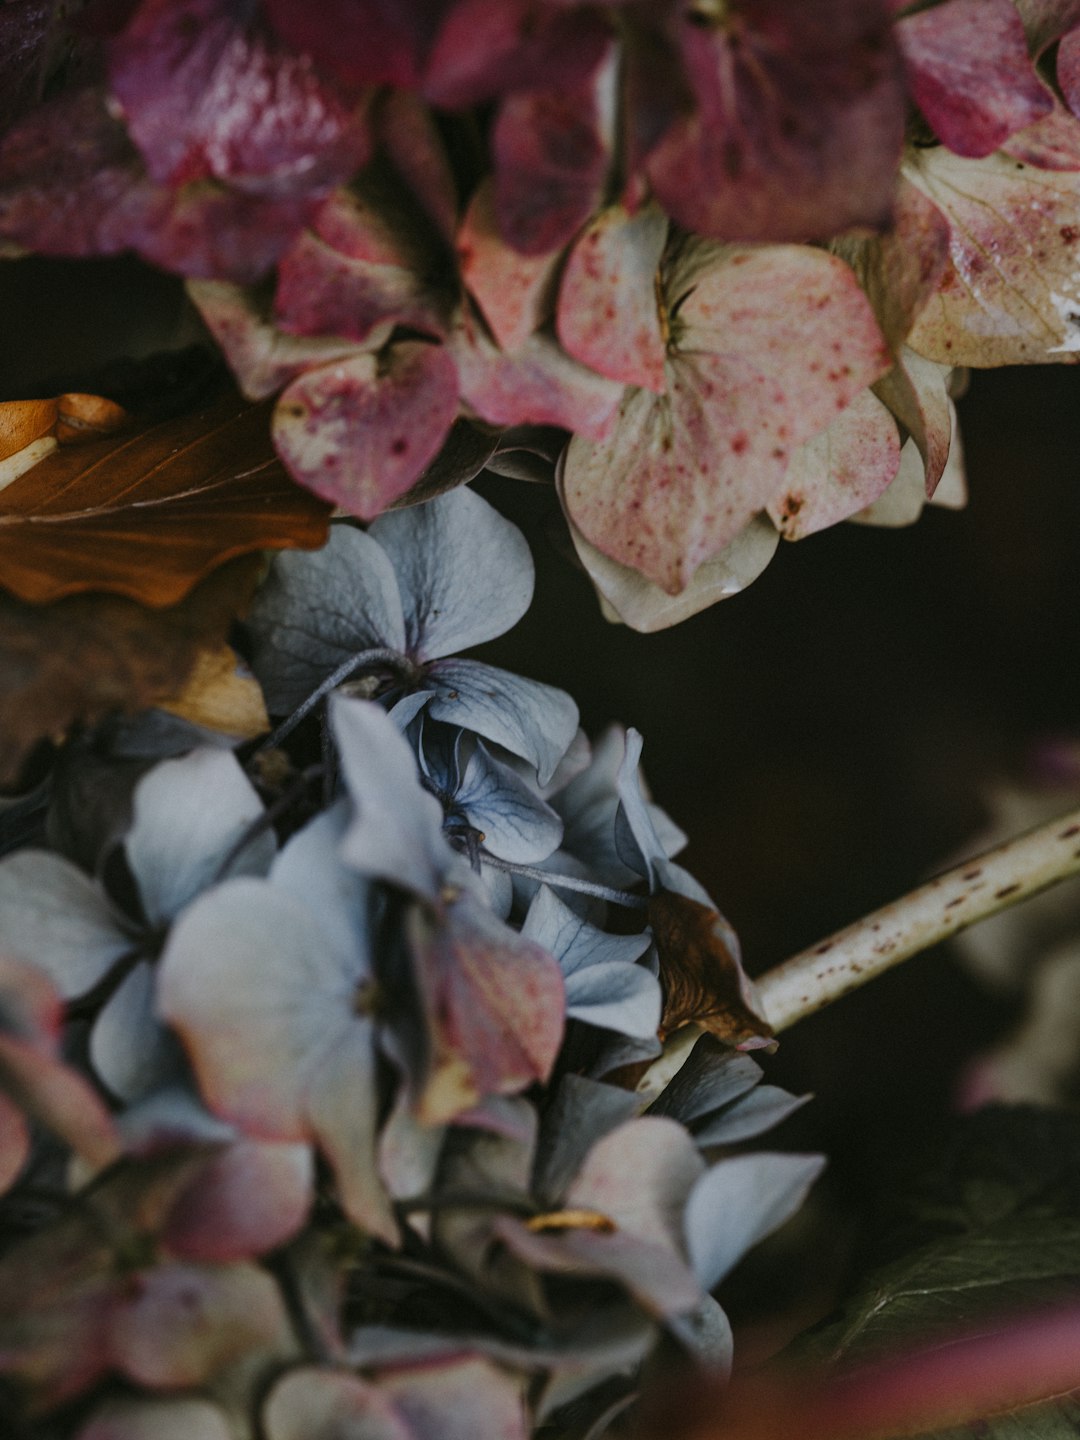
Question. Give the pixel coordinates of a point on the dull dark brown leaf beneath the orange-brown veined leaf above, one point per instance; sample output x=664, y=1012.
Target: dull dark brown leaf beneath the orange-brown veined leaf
x=90, y=656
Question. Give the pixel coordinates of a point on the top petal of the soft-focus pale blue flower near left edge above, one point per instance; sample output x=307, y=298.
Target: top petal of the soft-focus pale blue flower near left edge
x=188, y=817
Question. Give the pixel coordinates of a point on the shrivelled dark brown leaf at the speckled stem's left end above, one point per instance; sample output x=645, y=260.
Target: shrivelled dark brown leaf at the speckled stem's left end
x=699, y=976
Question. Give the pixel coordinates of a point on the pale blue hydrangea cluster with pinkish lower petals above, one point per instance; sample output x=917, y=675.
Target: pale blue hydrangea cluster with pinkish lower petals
x=328, y=1099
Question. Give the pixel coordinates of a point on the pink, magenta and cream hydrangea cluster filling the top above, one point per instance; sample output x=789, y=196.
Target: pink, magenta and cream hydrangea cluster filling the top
x=718, y=258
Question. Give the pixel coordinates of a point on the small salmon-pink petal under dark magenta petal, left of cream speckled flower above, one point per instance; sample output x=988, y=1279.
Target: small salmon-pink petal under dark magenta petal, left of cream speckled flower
x=513, y=290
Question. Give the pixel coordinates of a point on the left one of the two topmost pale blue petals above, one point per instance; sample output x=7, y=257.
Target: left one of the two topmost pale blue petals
x=319, y=608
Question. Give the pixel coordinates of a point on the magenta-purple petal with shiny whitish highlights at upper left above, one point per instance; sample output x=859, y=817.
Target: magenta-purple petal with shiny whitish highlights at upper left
x=208, y=93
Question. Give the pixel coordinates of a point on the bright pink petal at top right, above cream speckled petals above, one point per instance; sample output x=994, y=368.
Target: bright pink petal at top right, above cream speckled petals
x=970, y=73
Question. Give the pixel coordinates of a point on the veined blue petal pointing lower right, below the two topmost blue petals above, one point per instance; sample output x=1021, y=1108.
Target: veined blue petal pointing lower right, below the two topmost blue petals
x=528, y=718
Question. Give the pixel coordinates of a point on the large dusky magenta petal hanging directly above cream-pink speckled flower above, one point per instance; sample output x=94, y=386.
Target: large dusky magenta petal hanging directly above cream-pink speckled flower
x=797, y=126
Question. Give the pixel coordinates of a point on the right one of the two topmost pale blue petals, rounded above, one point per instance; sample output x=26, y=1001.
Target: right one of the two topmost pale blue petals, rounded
x=466, y=574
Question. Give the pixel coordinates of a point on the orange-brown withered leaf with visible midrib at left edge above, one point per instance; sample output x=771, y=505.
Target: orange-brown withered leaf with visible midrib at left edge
x=149, y=513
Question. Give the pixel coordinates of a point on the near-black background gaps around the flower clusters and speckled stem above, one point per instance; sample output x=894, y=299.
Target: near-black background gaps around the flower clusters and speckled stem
x=827, y=738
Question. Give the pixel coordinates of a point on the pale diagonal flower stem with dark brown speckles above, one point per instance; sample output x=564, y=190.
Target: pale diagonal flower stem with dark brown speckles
x=957, y=899
